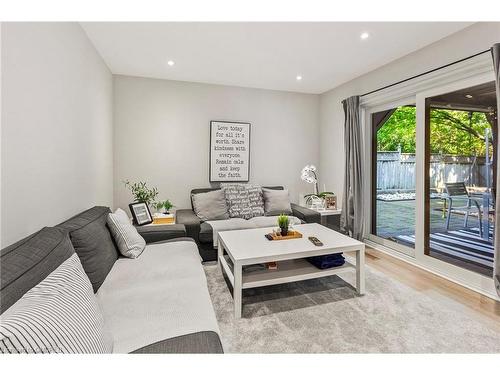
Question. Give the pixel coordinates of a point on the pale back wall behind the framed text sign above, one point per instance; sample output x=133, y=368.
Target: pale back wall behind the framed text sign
x=162, y=134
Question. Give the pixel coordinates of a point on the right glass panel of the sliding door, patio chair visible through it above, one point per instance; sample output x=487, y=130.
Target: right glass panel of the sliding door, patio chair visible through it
x=460, y=182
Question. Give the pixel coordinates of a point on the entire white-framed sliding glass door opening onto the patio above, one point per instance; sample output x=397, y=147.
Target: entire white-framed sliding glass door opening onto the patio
x=431, y=169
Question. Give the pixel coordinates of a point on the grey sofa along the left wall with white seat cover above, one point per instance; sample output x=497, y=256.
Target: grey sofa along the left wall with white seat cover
x=157, y=303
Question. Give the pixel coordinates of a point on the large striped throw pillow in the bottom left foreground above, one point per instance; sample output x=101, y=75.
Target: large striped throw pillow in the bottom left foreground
x=59, y=315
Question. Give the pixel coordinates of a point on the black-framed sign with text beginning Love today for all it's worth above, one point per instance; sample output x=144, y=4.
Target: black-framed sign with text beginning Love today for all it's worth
x=229, y=151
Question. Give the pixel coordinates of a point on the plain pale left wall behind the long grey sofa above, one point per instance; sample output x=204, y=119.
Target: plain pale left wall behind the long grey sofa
x=56, y=142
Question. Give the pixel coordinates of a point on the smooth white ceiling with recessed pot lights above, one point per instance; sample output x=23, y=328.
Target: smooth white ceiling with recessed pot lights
x=260, y=55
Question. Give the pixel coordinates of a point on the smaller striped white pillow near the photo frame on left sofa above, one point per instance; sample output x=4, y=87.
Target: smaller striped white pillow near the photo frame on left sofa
x=130, y=243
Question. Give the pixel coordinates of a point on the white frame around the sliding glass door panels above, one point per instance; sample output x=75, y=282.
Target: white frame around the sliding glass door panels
x=468, y=73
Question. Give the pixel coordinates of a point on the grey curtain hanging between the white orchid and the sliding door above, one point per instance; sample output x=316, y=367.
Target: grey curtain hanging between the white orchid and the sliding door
x=351, y=219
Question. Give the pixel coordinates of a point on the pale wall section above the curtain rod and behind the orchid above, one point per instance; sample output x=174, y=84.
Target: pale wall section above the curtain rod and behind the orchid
x=469, y=41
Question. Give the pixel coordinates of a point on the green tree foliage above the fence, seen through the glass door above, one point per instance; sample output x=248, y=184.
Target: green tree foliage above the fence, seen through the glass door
x=452, y=132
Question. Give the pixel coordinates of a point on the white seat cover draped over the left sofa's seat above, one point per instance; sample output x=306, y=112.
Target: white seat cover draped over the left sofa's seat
x=160, y=295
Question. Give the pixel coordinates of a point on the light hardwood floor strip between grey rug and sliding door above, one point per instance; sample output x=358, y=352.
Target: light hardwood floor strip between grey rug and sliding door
x=486, y=309
